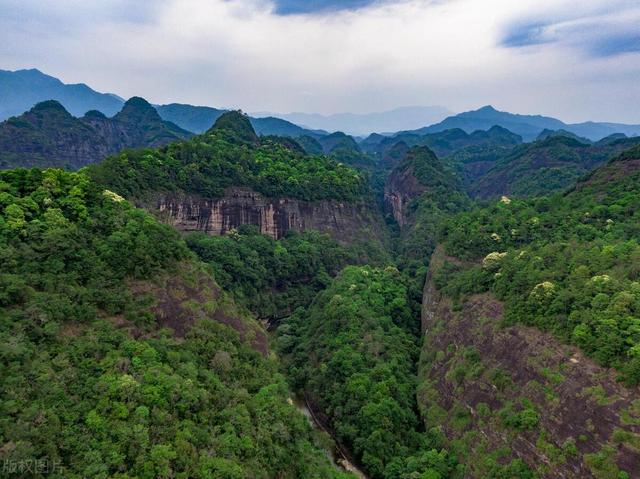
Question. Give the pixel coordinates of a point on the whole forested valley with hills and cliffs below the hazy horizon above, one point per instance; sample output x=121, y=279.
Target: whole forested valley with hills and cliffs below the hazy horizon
x=444, y=303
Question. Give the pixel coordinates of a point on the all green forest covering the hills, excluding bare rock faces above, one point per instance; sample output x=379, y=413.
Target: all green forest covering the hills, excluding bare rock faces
x=131, y=350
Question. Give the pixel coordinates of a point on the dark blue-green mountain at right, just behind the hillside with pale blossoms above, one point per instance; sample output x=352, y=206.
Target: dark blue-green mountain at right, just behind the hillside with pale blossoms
x=545, y=166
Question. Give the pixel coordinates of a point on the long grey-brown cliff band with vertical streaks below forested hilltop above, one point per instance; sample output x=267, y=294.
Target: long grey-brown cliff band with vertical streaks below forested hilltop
x=273, y=216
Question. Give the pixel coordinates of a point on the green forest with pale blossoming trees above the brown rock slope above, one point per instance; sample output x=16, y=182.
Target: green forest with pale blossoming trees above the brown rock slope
x=567, y=264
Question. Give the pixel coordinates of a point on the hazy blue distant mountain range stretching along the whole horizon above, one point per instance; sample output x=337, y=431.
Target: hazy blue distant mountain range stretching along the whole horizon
x=20, y=90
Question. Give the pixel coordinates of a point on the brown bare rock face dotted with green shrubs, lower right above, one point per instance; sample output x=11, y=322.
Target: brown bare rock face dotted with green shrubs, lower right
x=517, y=393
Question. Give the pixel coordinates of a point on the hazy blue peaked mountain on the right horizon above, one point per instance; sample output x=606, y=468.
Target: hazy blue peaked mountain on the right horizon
x=527, y=126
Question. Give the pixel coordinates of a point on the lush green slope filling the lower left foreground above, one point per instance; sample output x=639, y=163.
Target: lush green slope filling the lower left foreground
x=91, y=385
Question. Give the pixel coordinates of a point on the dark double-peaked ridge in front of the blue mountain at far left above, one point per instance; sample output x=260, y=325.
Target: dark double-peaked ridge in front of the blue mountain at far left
x=48, y=135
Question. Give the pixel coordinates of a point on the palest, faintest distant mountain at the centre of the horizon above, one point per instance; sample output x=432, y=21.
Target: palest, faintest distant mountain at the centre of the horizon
x=361, y=124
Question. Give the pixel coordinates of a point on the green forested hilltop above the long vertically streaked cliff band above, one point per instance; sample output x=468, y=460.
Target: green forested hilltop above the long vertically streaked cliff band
x=230, y=154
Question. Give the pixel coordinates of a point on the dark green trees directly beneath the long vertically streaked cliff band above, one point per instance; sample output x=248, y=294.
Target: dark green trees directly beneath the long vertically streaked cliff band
x=272, y=278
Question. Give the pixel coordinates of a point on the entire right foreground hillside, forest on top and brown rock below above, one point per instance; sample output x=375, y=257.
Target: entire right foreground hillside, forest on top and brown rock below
x=526, y=306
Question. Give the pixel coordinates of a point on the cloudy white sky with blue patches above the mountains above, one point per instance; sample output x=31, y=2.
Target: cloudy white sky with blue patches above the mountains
x=573, y=60
